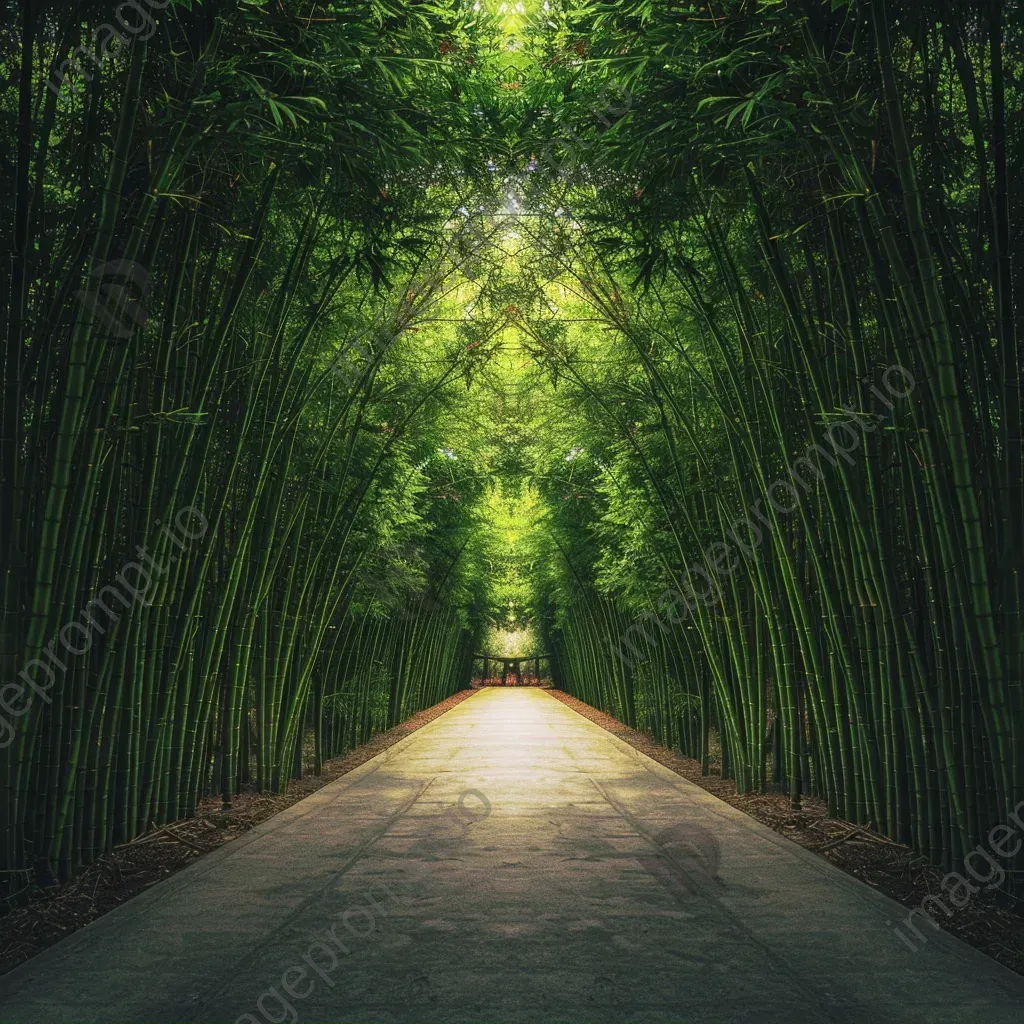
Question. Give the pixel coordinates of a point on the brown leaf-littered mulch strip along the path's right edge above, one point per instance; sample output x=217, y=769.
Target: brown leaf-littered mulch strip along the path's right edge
x=992, y=922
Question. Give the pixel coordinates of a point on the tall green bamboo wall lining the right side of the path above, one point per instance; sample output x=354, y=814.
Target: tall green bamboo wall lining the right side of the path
x=803, y=196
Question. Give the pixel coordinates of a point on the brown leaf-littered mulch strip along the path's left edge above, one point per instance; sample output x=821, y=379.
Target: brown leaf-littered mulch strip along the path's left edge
x=117, y=877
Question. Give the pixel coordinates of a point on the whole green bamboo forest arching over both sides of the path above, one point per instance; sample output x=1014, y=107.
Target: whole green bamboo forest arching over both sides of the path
x=666, y=357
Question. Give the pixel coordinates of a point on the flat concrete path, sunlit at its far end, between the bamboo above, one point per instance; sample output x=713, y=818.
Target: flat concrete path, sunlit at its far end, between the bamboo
x=601, y=888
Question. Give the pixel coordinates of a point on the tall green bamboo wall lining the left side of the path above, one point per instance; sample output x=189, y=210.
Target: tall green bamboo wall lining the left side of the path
x=220, y=240
